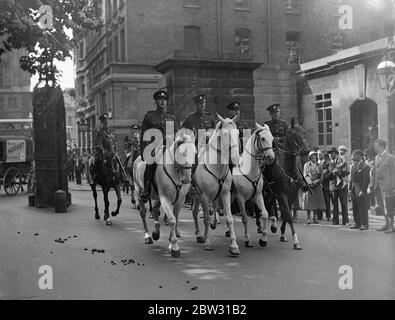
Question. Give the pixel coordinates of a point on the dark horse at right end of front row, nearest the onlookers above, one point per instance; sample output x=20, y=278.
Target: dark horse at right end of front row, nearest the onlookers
x=284, y=179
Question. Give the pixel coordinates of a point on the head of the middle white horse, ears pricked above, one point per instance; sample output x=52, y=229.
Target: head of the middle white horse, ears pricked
x=229, y=135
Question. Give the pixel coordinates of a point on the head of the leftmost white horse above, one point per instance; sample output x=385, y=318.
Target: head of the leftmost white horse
x=184, y=155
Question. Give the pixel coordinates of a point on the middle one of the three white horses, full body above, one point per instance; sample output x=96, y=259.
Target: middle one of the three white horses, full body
x=213, y=178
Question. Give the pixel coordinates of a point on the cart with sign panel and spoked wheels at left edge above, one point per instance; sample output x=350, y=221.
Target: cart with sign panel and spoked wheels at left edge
x=16, y=157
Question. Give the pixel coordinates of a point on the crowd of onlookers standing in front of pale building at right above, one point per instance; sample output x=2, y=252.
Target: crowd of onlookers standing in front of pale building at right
x=367, y=178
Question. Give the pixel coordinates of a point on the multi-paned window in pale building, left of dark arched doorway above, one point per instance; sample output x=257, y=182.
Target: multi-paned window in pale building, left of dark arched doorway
x=323, y=106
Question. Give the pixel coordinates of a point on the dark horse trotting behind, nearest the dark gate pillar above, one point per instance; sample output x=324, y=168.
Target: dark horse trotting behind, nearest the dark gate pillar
x=103, y=173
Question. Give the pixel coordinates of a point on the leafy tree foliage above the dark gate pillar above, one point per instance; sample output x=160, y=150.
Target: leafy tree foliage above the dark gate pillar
x=38, y=27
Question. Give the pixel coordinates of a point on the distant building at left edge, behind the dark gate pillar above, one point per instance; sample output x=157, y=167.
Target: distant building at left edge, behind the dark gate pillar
x=15, y=96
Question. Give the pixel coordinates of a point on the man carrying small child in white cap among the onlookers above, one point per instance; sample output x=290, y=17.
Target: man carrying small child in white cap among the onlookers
x=340, y=191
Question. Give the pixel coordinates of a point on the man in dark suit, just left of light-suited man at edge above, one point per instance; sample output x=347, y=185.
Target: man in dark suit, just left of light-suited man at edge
x=360, y=179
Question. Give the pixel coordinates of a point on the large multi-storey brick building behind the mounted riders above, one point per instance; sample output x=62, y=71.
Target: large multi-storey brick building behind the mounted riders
x=247, y=50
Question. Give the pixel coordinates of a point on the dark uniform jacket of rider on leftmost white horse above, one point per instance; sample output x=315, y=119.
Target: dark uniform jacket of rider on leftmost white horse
x=156, y=120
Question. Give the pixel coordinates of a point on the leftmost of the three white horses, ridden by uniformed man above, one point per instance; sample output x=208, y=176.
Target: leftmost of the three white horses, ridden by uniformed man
x=172, y=178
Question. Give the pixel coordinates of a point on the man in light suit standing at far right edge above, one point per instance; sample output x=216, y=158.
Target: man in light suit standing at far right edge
x=384, y=178
